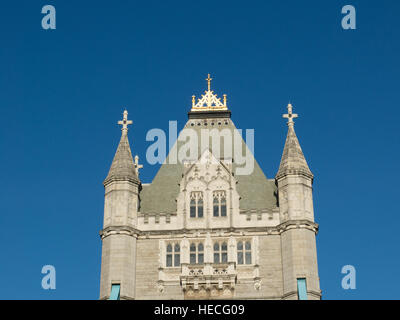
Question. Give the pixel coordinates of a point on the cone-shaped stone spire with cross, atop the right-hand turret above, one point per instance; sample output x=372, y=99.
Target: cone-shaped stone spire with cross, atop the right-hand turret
x=292, y=161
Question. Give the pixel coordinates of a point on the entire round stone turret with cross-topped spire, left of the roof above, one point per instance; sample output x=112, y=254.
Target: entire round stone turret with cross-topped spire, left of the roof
x=119, y=236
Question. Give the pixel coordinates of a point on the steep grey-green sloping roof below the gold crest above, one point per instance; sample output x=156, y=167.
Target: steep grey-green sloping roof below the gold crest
x=255, y=190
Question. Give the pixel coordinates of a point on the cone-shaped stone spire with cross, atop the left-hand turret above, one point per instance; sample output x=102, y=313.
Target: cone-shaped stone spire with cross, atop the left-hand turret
x=123, y=167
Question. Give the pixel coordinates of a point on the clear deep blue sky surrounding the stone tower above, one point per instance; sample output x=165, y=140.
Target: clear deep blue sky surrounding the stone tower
x=62, y=92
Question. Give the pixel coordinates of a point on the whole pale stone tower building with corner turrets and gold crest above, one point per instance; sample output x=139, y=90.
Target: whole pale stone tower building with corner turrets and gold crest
x=200, y=231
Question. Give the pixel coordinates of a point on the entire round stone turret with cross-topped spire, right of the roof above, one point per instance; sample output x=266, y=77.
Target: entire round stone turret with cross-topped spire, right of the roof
x=299, y=254
